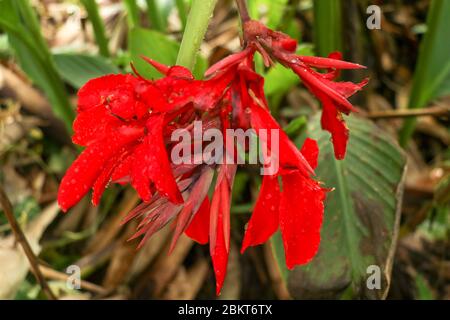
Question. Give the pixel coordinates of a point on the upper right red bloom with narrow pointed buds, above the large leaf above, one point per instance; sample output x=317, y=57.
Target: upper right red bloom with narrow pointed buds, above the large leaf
x=278, y=46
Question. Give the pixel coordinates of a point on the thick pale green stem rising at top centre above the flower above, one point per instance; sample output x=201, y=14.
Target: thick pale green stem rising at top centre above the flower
x=196, y=26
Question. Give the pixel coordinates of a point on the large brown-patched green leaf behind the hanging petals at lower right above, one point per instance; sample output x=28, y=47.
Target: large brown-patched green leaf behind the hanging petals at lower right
x=361, y=215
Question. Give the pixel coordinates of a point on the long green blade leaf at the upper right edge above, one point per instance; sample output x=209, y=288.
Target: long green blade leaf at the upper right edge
x=432, y=75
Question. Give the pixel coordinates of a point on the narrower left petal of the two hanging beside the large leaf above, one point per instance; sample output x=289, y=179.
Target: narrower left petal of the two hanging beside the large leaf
x=264, y=220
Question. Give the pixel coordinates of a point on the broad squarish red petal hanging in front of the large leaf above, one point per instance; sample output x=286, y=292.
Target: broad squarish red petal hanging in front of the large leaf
x=301, y=215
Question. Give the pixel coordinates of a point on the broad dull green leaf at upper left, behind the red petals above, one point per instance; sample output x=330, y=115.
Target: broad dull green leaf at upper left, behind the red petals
x=77, y=69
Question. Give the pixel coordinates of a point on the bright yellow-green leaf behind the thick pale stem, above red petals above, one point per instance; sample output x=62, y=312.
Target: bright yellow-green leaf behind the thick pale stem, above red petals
x=158, y=46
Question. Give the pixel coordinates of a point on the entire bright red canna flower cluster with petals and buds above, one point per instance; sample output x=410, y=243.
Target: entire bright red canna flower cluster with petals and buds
x=125, y=123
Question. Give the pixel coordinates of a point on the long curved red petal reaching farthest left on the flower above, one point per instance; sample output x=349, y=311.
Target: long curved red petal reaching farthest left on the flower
x=88, y=166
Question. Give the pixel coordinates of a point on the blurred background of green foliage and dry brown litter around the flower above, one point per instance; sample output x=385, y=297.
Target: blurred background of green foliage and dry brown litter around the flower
x=386, y=229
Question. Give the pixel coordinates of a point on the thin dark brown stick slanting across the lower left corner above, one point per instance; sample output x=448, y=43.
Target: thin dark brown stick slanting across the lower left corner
x=22, y=240
